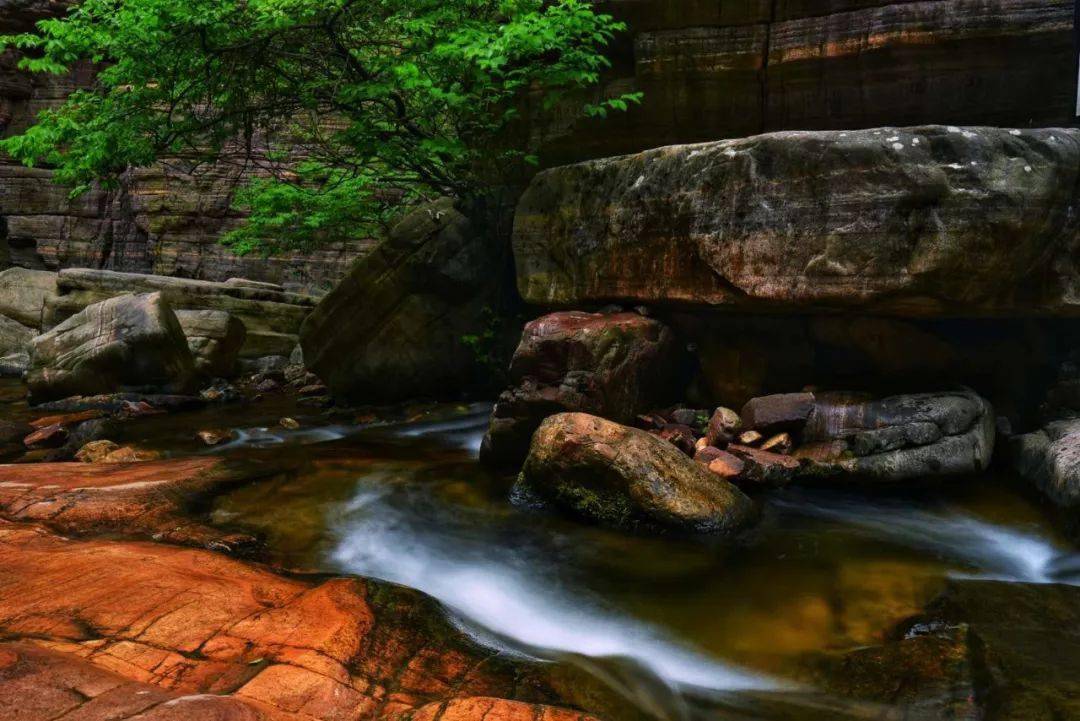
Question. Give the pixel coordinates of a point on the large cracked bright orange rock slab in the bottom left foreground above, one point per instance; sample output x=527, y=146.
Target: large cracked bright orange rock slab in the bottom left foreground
x=187, y=622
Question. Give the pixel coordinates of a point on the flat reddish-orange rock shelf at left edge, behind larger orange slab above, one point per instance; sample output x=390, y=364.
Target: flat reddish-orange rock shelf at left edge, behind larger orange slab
x=150, y=499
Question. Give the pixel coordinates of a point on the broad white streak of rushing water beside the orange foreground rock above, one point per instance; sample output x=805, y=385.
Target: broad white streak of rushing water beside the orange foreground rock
x=511, y=594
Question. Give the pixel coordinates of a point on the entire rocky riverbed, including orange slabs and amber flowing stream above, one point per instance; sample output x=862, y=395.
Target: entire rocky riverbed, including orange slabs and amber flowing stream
x=361, y=564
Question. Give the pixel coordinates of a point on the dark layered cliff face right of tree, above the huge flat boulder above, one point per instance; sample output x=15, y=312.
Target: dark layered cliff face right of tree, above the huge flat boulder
x=715, y=71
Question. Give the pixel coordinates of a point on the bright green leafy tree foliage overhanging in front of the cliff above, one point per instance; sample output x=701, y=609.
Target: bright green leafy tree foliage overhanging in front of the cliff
x=345, y=108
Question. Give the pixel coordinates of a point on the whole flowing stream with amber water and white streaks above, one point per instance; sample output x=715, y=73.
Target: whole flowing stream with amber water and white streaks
x=668, y=621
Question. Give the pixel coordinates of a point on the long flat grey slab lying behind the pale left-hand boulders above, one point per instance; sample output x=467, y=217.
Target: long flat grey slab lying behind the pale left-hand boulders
x=272, y=316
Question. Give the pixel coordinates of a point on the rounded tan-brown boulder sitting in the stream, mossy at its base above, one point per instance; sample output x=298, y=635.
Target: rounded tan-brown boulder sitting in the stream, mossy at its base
x=625, y=478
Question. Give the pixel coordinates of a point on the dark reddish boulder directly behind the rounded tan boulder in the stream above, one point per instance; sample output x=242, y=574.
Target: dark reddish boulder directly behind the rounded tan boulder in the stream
x=610, y=365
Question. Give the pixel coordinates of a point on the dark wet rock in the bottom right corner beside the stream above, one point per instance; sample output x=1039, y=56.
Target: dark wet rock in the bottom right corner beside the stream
x=982, y=649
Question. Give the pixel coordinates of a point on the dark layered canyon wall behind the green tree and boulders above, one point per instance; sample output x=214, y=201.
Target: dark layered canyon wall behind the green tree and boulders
x=709, y=70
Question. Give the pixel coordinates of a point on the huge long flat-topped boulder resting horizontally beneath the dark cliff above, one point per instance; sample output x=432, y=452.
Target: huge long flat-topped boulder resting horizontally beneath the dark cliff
x=876, y=221
